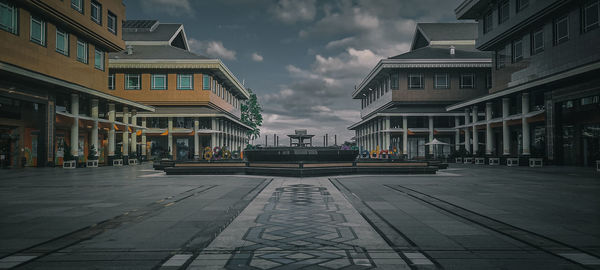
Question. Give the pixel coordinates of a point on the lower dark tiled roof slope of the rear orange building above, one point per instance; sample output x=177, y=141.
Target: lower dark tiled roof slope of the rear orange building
x=156, y=52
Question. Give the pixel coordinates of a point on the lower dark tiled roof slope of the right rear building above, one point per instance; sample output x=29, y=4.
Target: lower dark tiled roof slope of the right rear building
x=443, y=52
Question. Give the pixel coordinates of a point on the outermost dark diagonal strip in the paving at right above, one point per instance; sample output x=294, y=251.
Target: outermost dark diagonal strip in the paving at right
x=575, y=254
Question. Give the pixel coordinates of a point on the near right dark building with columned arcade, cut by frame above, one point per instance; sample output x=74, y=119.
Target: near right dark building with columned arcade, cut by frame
x=545, y=94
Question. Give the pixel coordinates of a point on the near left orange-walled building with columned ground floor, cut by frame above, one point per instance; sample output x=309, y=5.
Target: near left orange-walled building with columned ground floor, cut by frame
x=53, y=80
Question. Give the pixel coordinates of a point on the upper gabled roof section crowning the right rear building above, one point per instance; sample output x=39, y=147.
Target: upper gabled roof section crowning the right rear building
x=449, y=31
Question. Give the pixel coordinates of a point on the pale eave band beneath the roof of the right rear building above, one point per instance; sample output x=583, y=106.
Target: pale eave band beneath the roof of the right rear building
x=419, y=63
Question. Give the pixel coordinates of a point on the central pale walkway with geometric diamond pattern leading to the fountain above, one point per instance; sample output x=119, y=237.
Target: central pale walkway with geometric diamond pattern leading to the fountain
x=299, y=223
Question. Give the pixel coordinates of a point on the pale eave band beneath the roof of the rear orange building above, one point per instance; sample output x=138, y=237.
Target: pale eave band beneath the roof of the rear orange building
x=216, y=65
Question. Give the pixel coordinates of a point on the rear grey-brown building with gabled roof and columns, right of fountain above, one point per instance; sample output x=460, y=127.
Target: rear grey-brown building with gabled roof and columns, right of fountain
x=403, y=99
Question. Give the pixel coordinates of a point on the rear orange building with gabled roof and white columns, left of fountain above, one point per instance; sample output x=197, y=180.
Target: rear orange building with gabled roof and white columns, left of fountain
x=197, y=99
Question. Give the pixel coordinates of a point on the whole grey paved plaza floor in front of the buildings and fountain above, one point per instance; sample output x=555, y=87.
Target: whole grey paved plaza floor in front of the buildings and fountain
x=465, y=217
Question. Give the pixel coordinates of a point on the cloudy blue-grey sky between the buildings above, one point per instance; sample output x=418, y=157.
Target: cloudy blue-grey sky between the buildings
x=301, y=57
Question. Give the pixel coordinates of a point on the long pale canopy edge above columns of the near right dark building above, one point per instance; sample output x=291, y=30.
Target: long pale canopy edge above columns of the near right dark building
x=525, y=86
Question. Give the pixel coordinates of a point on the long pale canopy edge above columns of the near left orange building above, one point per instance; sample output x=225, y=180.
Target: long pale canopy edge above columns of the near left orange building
x=73, y=87
